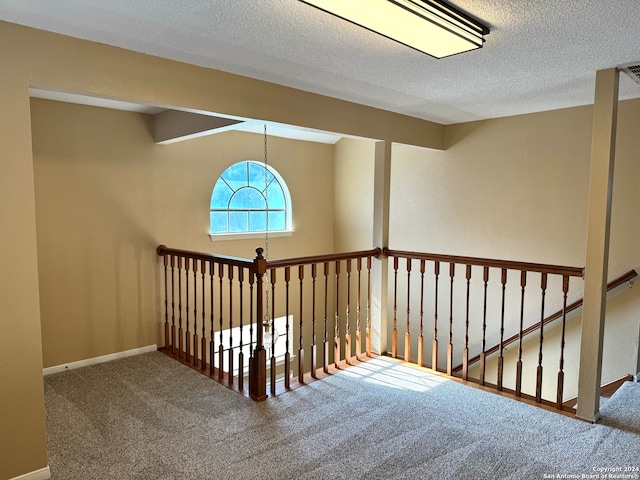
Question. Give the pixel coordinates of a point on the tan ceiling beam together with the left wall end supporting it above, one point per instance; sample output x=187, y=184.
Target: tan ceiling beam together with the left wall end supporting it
x=32, y=58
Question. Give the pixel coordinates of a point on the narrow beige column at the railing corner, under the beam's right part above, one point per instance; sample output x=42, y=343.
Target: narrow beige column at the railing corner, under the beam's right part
x=380, y=271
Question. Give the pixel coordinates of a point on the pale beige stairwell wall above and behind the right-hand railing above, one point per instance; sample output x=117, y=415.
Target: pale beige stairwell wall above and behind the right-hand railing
x=516, y=189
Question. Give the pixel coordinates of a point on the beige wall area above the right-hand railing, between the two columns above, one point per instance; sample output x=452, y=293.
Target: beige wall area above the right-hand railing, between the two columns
x=512, y=188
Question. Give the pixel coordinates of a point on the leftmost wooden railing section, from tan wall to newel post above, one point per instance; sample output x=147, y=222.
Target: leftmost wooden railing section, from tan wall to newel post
x=200, y=293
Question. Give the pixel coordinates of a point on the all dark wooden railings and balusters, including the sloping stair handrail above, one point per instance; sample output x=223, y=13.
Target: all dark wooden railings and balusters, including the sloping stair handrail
x=191, y=278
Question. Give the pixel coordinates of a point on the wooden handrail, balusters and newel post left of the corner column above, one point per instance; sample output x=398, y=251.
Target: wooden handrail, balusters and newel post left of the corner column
x=198, y=270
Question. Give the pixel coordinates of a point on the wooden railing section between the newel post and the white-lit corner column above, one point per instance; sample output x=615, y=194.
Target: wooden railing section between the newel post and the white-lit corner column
x=329, y=298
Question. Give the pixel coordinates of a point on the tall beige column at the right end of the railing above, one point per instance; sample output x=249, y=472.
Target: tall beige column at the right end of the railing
x=603, y=138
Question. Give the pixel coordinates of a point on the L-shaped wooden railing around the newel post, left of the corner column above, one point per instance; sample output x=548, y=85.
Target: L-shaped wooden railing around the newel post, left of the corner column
x=220, y=315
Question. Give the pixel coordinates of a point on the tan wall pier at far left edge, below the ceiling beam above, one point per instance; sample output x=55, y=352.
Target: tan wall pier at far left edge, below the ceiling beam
x=22, y=416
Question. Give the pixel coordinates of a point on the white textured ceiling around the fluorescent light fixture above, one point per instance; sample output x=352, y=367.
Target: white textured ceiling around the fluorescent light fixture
x=540, y=55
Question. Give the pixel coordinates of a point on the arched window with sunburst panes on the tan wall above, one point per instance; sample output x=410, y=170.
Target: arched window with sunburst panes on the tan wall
x=245, y=195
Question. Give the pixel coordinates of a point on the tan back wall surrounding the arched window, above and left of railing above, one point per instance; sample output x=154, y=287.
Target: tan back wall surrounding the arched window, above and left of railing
x=107, y=196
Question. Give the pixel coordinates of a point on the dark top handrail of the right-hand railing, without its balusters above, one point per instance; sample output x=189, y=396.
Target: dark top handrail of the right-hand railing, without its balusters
x=488, y=262
